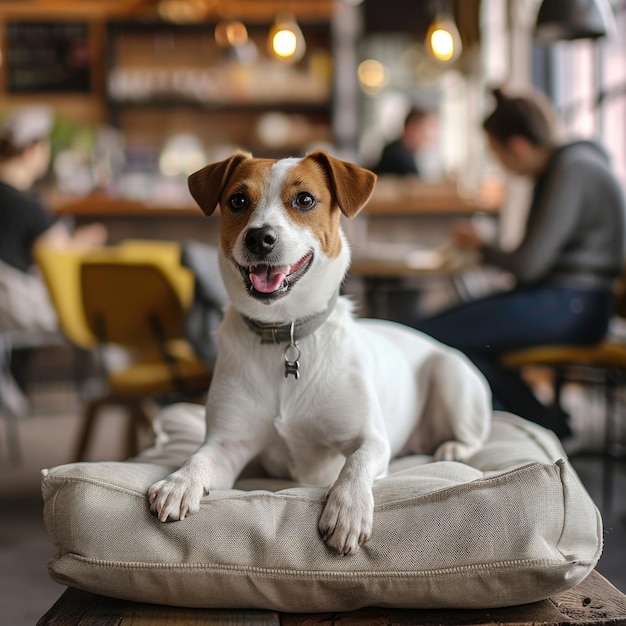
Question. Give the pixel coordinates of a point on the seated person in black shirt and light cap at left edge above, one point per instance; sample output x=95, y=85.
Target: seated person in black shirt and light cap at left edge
x=26, y=223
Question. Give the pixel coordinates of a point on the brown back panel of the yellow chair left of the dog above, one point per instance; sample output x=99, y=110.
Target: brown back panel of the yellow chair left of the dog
x=130, y=303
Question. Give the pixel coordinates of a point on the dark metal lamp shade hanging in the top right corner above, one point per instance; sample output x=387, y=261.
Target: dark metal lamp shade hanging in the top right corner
x=560, y=20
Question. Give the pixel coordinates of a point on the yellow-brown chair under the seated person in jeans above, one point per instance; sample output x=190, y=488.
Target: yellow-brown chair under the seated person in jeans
x=603, y=366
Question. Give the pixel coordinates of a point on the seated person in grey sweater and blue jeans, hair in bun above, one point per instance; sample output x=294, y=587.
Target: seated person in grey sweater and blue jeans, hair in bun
x=565, y=266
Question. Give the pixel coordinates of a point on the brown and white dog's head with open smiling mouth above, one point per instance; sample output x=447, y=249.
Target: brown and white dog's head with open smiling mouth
x=282, y=251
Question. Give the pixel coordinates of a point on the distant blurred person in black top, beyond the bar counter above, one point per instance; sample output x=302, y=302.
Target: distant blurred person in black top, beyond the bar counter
x=399, y=157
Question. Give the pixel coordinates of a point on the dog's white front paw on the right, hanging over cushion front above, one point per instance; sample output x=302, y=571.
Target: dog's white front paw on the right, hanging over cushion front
x=347, y=519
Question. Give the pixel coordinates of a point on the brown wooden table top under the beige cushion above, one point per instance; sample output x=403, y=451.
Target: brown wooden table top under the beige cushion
x=594, y=602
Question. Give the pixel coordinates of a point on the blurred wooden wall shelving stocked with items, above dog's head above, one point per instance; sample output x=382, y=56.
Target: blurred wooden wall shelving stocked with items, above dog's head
x=165, y=79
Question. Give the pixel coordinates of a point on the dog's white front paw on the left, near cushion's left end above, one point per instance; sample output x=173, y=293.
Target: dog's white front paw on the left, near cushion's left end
x=175, y=497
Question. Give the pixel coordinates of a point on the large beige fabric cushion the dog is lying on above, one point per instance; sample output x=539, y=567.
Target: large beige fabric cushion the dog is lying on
x=511, y=526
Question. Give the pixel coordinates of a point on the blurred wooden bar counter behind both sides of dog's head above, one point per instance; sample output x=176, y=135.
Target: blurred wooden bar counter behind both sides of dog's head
x=400, y=211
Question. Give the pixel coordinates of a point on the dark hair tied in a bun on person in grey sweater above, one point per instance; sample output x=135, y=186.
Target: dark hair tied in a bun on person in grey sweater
x=528, y=116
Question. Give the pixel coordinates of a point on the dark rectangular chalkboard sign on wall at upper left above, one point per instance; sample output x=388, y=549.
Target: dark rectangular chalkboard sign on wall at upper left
x=48, y=57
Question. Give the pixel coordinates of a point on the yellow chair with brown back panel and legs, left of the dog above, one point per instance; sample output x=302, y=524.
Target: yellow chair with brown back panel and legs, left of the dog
x=133, y=298
